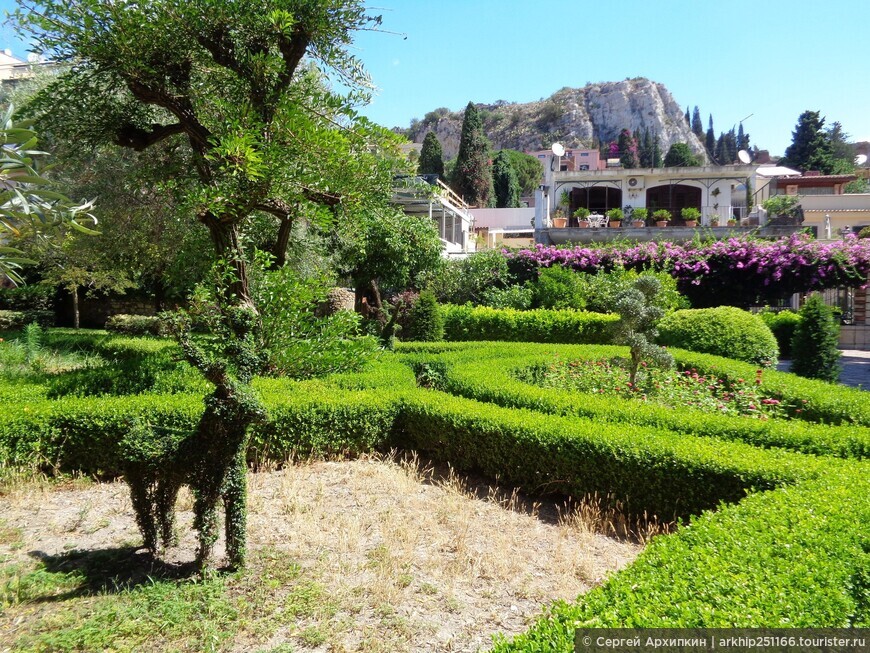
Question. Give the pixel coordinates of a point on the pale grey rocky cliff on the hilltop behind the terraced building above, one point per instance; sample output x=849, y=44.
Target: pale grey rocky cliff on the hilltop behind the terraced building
x=575, y=117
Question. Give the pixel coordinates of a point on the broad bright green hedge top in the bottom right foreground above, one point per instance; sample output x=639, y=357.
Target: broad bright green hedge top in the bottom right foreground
x=798, y=556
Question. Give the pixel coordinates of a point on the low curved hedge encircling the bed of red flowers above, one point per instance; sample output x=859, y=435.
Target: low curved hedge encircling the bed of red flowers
x=488, y=375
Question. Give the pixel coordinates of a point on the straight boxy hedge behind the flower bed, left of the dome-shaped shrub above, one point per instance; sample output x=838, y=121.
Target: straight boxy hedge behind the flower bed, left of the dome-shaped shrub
x=541, y=325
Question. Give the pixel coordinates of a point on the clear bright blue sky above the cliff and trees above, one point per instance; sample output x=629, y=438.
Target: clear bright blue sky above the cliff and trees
x=771, y=59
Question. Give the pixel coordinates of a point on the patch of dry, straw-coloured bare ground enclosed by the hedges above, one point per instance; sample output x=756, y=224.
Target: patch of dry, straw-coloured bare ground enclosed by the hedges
x=409, y=558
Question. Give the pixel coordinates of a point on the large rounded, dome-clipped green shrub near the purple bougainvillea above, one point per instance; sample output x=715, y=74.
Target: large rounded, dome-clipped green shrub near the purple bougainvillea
x=723, y=331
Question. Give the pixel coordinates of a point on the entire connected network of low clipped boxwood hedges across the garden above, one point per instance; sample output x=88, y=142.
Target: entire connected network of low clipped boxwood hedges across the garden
x=776, y=537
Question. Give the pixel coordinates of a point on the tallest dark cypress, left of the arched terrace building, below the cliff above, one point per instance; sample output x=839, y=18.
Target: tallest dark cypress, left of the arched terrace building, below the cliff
x=472, y=174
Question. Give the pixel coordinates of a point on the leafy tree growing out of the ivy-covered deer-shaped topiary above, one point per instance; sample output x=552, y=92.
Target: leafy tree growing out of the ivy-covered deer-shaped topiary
x=240, y=91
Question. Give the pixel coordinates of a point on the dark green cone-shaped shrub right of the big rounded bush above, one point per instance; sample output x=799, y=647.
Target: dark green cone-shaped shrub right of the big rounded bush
x=815, y=353
